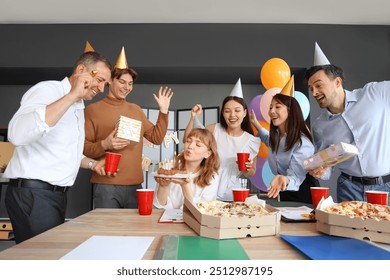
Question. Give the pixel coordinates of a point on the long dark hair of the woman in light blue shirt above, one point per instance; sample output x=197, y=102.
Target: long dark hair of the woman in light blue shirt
x=295, y=124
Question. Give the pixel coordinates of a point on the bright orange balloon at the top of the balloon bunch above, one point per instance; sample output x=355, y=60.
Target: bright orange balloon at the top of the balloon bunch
x=275, y=73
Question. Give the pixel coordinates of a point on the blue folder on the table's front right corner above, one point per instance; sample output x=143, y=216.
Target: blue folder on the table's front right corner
x=324, y=247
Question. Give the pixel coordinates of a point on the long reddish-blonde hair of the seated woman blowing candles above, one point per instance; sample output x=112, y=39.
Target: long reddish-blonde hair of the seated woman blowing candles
x=209, y=166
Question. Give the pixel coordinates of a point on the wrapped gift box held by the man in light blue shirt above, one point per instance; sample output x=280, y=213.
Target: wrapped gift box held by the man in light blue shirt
x=330, y=156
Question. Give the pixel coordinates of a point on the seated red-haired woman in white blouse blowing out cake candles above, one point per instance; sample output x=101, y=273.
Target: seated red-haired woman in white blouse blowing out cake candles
x=200, y=157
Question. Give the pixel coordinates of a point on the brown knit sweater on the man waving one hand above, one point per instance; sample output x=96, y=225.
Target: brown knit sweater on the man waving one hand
x=100, y=120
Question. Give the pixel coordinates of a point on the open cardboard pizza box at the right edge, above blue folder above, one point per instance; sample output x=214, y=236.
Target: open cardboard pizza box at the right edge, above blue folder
x=355, y=227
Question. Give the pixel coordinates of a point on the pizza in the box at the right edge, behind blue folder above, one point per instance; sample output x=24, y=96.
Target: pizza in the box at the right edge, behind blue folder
x=361, y=209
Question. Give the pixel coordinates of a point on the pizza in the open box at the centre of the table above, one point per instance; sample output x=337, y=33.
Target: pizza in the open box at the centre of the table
x=231, y=209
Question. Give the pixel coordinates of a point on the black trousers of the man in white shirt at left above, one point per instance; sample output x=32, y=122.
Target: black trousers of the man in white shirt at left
x=33, y=211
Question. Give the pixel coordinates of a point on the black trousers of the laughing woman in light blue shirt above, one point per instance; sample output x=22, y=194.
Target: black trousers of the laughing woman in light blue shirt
x=303, y=194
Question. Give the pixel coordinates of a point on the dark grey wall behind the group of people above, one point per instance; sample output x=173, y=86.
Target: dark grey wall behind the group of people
x=201, y=62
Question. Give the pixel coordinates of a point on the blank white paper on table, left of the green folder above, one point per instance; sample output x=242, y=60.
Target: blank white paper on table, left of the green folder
x=111, y=248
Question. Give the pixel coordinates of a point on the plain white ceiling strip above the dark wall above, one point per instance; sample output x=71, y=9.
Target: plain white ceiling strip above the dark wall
x=370, y=12
